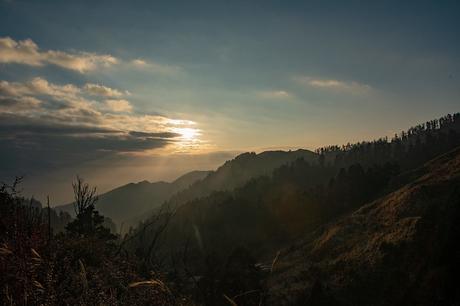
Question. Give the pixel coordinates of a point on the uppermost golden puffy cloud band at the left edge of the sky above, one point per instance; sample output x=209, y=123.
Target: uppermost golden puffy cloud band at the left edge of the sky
x=27, y=52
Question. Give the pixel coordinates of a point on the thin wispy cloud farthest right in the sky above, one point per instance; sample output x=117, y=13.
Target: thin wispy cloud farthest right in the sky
x=334, y=85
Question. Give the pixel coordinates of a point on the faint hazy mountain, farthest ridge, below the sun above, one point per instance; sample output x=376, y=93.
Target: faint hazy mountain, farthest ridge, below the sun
x=126, y=203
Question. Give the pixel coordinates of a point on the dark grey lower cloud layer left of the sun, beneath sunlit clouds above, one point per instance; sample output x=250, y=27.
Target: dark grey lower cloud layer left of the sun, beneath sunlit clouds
x=29, y=145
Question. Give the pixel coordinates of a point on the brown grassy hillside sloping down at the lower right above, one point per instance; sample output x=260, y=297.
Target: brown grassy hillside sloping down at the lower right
x=399, y=250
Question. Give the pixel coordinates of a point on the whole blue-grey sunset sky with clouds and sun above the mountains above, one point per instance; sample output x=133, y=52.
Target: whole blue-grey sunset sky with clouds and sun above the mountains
x=123, y=91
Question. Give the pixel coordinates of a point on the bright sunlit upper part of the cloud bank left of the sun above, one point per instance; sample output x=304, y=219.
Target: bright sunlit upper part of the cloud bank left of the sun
x=67, y=103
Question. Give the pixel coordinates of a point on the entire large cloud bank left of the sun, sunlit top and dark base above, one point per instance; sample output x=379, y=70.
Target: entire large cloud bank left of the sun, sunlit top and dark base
x=45, y=125
